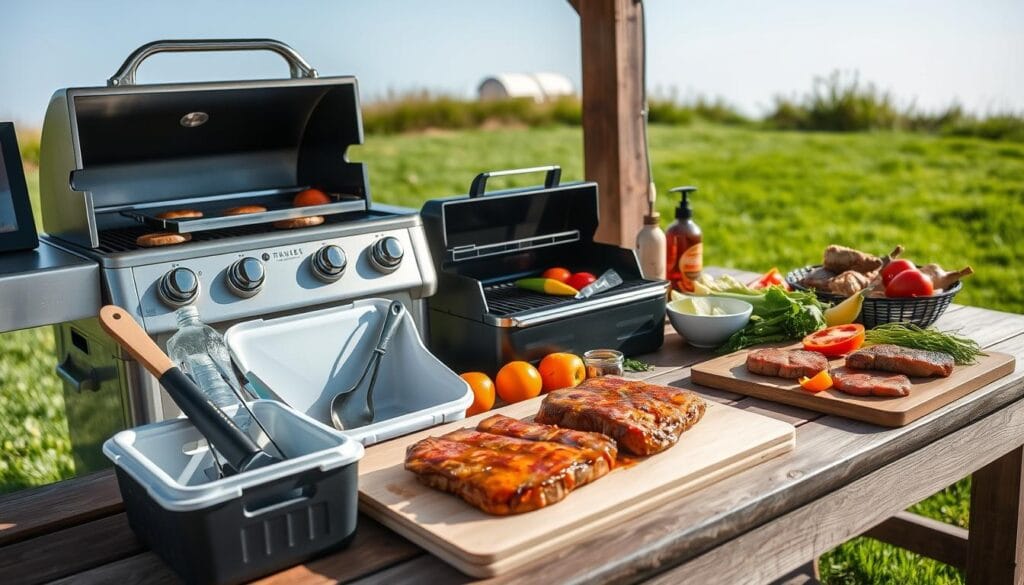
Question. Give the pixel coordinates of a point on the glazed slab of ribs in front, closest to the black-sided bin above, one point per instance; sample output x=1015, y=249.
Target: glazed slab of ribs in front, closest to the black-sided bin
x=503, y=475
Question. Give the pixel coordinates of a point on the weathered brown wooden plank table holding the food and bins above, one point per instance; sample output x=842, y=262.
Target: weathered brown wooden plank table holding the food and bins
x=844, y=479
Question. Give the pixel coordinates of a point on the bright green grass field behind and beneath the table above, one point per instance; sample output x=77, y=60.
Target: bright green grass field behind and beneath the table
x=766, y=198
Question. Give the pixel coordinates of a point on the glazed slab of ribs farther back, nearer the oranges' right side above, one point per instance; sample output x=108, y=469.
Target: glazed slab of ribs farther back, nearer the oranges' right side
x=643, y=419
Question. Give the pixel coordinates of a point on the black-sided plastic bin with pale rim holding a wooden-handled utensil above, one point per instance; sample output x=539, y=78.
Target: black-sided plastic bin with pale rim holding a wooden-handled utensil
x=236, y=529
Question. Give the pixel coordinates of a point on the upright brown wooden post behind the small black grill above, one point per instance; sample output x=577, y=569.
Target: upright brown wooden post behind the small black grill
x=613, y=40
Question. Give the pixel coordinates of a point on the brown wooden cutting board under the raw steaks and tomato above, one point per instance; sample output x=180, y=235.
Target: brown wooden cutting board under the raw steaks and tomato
x=730, y=373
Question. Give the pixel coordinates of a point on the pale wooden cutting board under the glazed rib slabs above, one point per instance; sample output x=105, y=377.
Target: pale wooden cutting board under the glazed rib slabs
x=726, y=442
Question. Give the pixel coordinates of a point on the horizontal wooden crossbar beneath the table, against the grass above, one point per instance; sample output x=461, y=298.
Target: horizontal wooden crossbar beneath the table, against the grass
x=928, y=537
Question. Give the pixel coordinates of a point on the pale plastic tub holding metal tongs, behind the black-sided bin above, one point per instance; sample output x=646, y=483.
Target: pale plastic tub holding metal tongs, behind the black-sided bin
x=308, y=359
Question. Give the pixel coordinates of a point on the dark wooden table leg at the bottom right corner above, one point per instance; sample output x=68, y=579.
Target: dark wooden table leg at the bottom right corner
x=996, y=541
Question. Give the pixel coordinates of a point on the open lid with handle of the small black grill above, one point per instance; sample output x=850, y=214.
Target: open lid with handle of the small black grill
x=485, y=225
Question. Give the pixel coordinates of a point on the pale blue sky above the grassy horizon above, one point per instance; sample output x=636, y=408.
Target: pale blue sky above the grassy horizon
x=931, y=53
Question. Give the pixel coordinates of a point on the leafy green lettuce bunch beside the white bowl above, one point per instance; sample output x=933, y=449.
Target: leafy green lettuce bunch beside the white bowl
x=778, y=316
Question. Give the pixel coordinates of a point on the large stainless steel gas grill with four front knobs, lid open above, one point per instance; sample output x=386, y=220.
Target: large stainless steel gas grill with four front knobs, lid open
x=115, y=158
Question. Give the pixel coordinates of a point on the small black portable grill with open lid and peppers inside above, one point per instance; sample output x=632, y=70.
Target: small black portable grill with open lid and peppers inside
x=483, y=243
